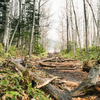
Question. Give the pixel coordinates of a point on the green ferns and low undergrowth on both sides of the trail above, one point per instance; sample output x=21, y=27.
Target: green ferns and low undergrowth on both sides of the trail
x=18, y=86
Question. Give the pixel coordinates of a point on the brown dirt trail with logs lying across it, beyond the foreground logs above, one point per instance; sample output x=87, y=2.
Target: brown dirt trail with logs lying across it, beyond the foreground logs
x=68, y=69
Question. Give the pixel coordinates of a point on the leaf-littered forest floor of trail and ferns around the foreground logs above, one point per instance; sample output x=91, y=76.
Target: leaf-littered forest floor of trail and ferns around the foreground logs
x=69, y=74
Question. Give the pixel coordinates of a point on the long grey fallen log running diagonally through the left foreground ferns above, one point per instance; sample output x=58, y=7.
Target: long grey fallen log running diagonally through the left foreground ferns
x=56, y=93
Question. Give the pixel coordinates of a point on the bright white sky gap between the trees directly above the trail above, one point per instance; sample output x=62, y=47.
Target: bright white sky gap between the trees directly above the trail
x=56, y=11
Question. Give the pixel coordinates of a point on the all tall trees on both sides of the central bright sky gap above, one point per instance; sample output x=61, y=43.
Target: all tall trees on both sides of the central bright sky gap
x=27, y=27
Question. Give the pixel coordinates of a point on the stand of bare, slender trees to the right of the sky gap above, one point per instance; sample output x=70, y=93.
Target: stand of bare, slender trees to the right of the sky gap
x=82, y=28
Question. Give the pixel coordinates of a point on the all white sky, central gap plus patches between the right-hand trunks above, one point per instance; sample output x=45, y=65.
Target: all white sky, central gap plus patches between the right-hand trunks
x=57, y=7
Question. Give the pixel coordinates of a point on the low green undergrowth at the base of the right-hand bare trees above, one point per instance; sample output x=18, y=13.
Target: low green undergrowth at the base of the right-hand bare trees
x=90, y=55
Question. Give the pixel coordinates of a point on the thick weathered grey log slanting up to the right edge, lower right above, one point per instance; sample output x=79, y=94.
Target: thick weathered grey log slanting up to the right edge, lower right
x=89, y=82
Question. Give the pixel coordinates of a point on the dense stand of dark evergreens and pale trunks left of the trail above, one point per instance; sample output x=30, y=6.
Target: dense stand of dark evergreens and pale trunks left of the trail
x=22, y=27
